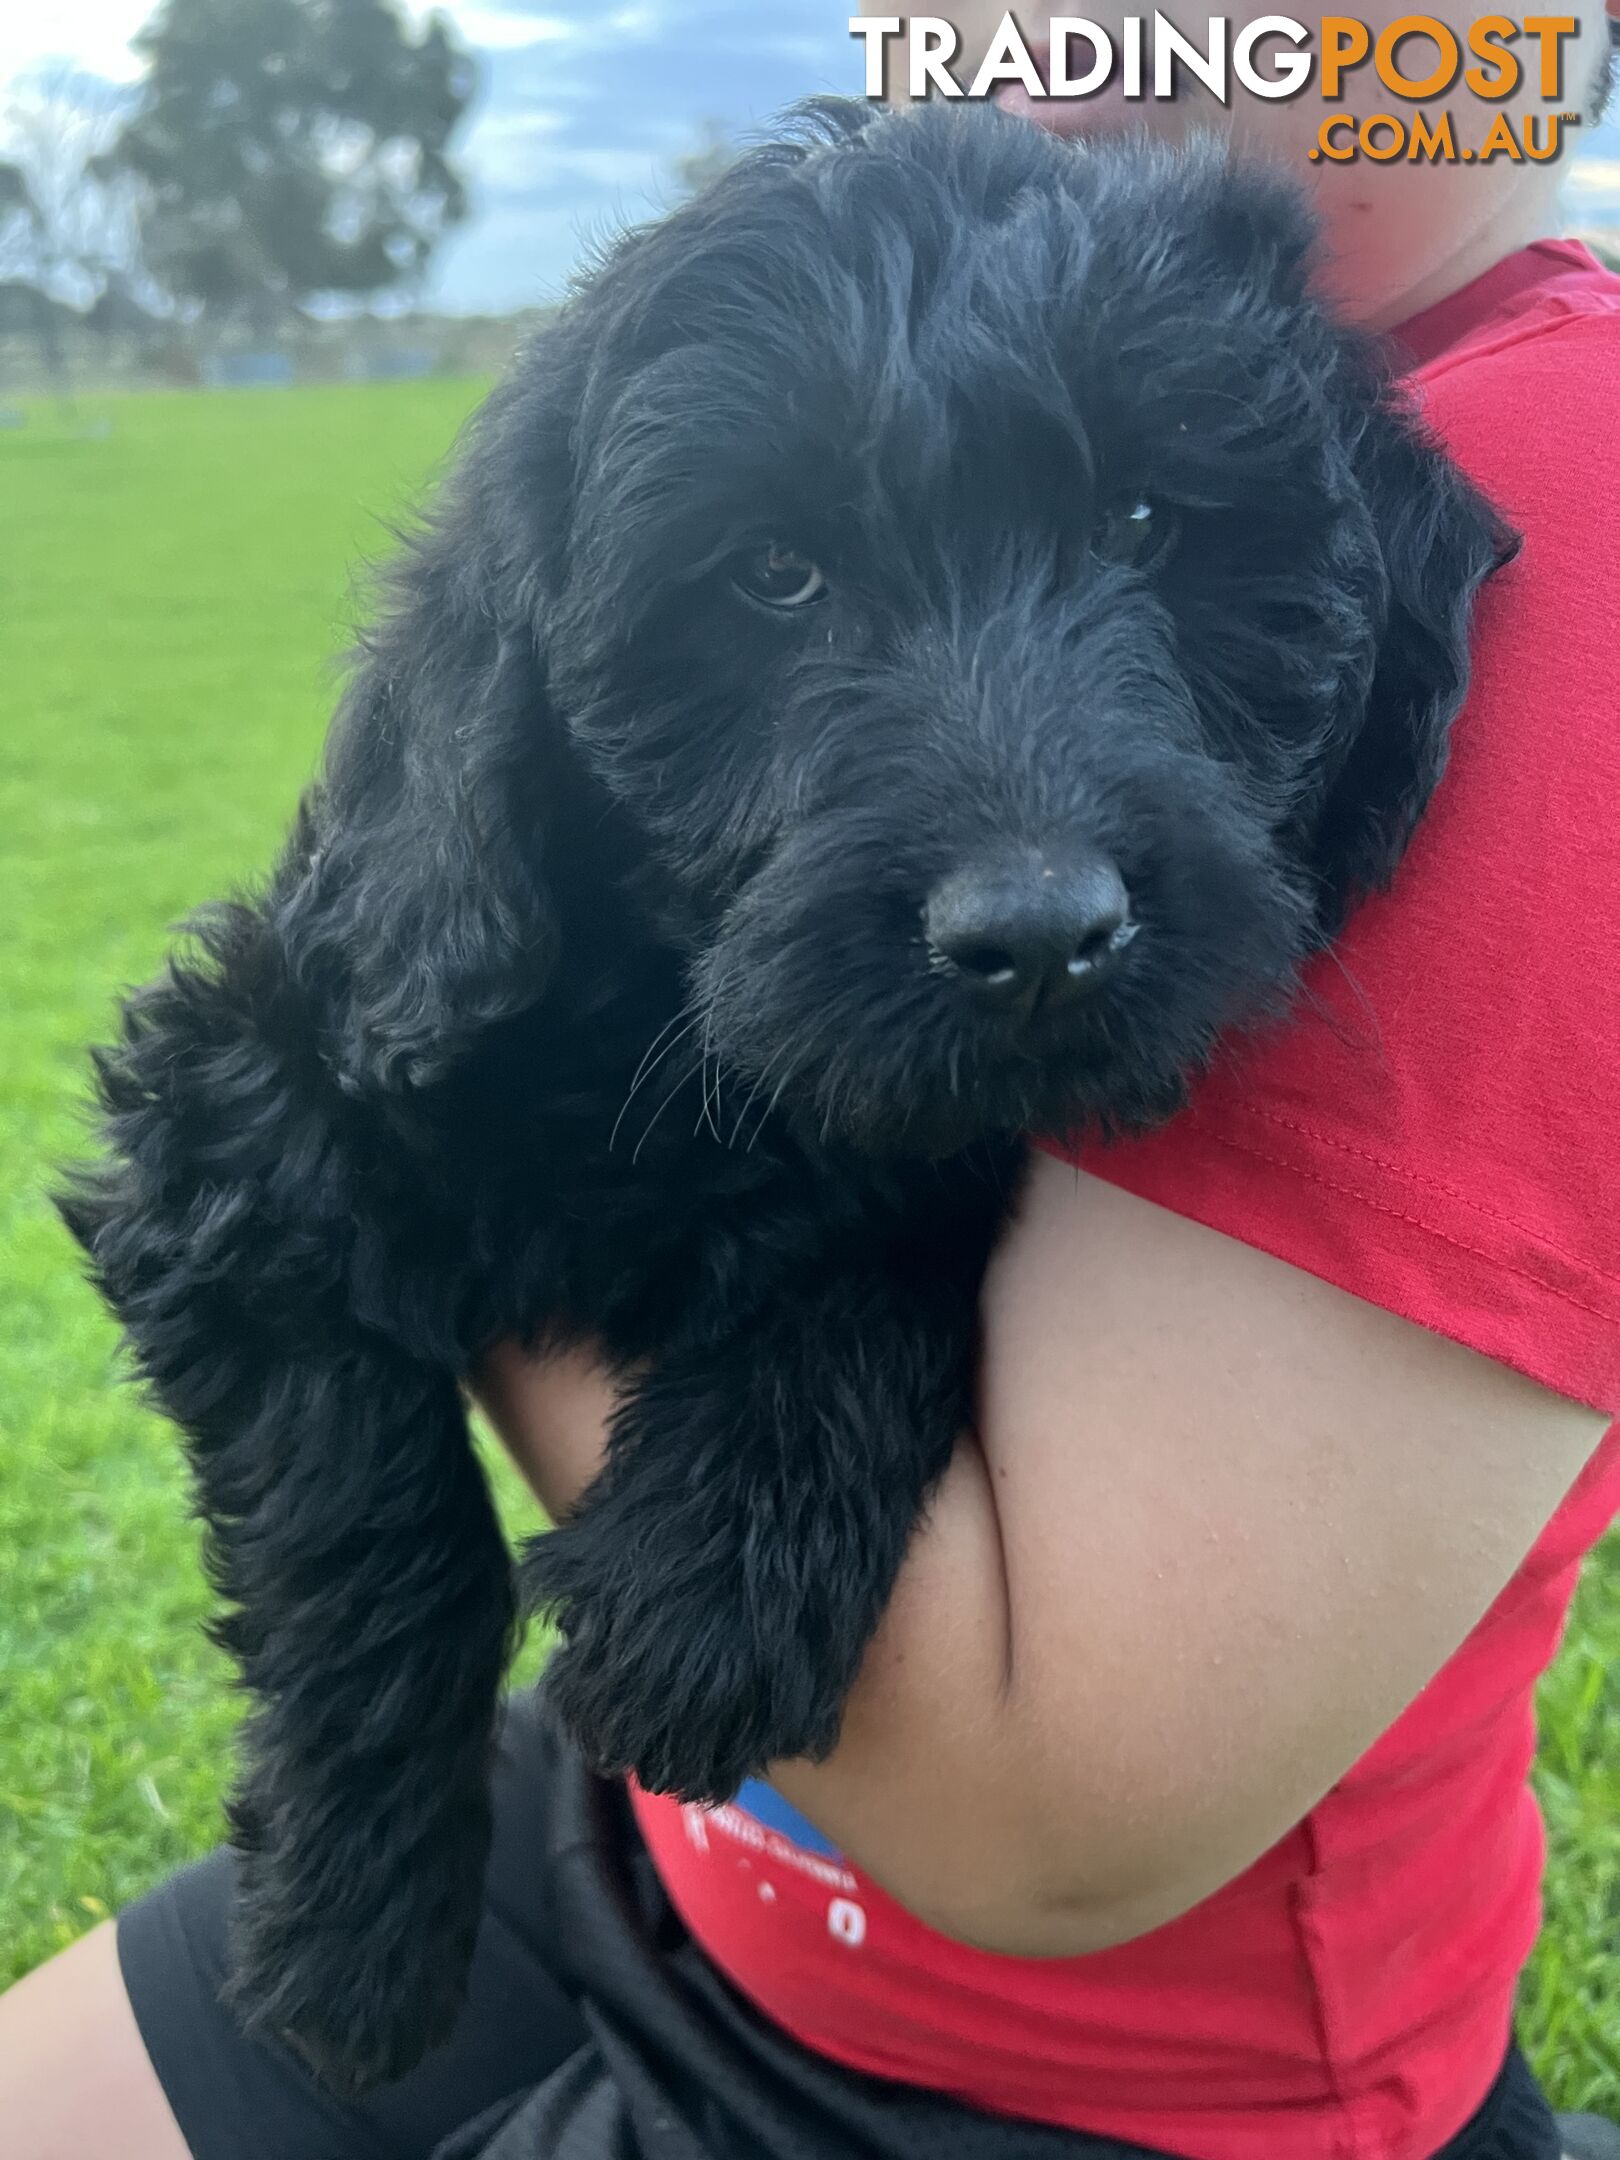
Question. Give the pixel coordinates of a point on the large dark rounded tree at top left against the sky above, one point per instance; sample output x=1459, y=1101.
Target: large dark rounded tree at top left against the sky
x=293, y=148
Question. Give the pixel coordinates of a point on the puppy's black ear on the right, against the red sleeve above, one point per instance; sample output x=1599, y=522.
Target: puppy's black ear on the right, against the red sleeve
x=1435, y=543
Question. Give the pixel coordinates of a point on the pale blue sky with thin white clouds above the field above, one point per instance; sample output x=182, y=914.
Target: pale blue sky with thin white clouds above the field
x=584, y=107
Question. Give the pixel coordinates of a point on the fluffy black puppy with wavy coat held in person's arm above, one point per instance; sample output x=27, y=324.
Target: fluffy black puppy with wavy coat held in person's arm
x=932, y=636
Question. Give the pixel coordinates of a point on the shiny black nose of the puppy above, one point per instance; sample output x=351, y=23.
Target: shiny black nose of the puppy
x=1031, y=934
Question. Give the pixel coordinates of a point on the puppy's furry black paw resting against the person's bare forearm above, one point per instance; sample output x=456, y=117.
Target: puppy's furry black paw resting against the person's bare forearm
x=677, y=1677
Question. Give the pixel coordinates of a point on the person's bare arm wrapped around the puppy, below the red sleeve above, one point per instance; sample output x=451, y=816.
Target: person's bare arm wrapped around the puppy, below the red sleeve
x=1219, y=1528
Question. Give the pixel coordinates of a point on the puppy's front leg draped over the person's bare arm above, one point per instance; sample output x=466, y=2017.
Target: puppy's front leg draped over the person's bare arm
x=720, y=1582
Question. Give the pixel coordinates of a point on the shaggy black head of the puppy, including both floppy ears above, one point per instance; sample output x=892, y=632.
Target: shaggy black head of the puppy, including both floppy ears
x=1014, y=619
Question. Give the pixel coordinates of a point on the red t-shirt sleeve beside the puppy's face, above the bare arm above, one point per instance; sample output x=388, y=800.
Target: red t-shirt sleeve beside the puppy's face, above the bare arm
x=1437, y=1129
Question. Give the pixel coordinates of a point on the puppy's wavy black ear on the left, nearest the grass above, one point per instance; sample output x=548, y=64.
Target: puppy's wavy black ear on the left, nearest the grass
x=414, y=904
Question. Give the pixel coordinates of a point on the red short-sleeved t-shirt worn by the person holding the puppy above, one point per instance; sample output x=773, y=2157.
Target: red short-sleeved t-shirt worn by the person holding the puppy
x=1444, y=1142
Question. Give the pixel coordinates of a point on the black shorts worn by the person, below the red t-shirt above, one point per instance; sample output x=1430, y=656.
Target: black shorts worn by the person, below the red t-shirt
x=595, y=2029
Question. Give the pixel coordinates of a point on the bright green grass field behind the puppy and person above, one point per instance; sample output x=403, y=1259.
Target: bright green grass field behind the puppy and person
x=174, y=580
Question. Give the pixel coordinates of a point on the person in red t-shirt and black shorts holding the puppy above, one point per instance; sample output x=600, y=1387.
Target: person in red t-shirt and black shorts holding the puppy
x=1183, y=1803
